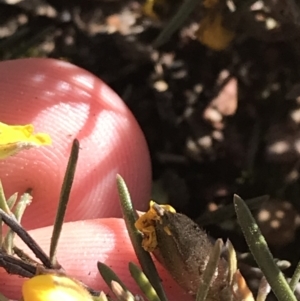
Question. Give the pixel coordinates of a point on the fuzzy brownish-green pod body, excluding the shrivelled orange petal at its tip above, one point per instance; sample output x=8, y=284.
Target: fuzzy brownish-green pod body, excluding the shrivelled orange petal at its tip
x=184, y=249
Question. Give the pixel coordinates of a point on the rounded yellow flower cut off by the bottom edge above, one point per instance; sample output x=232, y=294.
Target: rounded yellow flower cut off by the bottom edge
x=52, y=287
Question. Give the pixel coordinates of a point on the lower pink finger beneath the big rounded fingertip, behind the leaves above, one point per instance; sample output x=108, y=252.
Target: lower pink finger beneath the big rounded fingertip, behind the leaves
x=82, y=245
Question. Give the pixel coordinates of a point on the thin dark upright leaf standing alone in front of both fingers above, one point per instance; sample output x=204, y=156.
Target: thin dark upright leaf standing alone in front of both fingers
x=63, y=200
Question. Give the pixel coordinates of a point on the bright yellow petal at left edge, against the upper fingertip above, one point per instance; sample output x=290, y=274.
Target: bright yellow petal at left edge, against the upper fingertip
x=14, y=138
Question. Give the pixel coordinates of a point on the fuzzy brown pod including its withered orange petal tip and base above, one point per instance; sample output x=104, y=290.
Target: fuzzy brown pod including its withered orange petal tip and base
x=184, y=249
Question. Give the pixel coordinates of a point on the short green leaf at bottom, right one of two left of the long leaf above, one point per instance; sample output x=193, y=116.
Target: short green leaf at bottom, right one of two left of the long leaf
x=143, y=282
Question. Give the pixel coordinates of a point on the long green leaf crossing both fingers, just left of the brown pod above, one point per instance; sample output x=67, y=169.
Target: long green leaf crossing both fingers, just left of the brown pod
x=144, y=257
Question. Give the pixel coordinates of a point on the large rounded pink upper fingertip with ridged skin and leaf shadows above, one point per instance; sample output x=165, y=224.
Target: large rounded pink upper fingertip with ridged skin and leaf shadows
x=68, y=102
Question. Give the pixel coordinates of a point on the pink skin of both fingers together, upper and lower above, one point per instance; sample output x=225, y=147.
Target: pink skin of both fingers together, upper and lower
x=68, y=102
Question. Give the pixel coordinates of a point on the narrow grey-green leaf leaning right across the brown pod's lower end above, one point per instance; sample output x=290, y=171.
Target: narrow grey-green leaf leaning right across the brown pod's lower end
x=210, y=271
